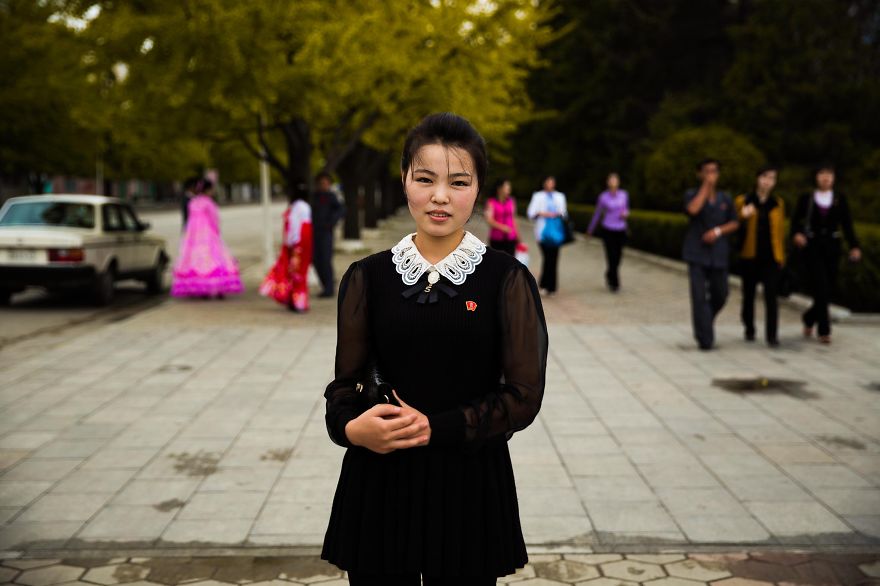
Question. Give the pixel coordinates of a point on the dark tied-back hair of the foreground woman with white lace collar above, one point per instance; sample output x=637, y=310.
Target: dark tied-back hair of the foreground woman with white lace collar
x=449, y=130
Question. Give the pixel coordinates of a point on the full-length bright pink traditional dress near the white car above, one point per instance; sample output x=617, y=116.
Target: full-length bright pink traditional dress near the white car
x=205, y=267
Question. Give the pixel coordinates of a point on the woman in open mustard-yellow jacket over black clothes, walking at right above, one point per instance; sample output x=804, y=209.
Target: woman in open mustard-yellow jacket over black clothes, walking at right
x=762, y=253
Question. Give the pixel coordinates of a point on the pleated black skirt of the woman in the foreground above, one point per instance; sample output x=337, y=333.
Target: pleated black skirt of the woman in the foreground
x=442, y=512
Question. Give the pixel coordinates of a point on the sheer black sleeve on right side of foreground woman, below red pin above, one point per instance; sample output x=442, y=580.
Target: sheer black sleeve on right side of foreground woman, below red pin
x=515, y=404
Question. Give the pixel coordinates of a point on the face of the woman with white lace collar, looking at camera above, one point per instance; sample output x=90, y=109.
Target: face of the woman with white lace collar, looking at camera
x=441, y=189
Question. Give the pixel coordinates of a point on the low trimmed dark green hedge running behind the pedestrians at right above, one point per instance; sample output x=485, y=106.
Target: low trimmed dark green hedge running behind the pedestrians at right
x=663, y=232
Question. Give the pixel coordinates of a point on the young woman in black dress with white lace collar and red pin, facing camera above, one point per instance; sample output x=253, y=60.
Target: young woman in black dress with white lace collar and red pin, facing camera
x=426, y=487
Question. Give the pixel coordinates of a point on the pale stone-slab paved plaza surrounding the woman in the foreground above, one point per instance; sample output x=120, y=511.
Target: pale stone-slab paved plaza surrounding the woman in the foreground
x=196, y=428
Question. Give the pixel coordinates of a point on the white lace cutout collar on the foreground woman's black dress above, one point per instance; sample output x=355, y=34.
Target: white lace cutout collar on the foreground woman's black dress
x=460, y=263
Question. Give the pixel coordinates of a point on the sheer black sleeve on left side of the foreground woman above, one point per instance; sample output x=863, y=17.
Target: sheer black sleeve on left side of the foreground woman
x=352, y=351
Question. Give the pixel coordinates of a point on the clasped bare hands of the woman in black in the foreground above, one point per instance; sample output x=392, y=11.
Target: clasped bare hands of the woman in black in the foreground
x=384, y=428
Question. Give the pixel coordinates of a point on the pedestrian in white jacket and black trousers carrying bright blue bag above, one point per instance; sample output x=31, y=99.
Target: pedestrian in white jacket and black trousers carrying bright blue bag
x=548, y=209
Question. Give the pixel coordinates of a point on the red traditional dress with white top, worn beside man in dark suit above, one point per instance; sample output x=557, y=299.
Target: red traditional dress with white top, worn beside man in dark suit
x=287, y=281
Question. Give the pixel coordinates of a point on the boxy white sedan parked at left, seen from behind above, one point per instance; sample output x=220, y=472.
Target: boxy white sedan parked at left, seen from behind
x=76, y=241
